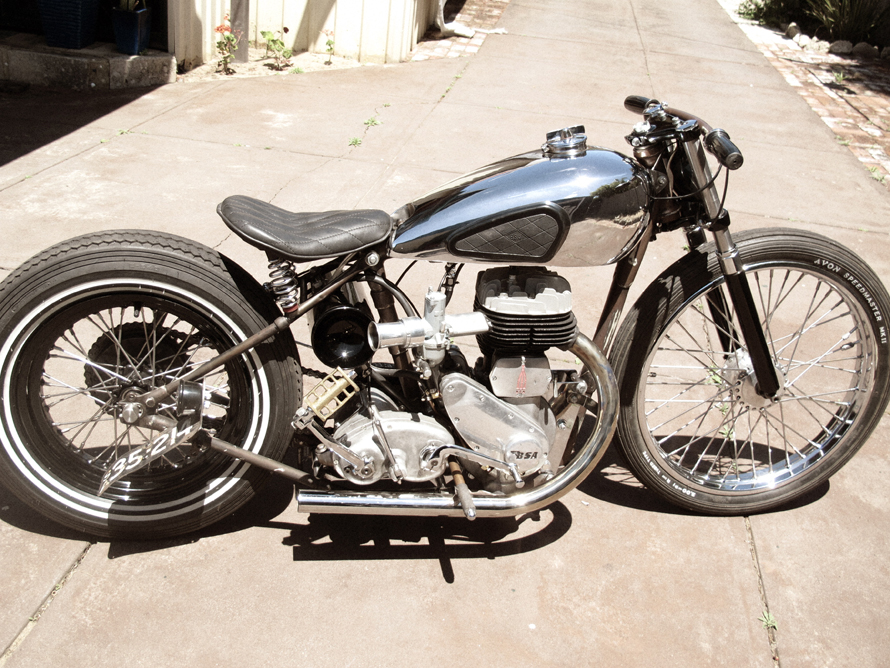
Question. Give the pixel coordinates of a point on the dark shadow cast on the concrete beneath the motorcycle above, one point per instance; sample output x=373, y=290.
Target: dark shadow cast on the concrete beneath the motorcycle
x=341, y=537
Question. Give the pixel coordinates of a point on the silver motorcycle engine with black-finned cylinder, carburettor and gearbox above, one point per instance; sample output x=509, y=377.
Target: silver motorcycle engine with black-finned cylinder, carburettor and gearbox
x=497, y=419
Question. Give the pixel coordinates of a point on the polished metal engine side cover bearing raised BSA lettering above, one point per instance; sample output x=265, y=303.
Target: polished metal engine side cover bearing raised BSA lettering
x=493, y=426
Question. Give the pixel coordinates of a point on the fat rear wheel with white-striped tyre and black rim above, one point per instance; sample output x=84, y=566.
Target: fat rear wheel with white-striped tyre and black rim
x=92, y=319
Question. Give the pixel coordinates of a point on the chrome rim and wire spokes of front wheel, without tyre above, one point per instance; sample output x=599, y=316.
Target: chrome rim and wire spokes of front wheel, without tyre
x=704, y=420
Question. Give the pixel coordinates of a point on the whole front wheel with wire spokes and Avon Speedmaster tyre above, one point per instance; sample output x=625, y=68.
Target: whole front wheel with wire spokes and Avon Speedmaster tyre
x=692, y=425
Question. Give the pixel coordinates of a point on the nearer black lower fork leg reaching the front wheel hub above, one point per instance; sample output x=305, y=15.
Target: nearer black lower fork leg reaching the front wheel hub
x=746, y=310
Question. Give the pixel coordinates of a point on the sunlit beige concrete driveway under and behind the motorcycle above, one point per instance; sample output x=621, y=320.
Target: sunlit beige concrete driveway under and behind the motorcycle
x=610, y=576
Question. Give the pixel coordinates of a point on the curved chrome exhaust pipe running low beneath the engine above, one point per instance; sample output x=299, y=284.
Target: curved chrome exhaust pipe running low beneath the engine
x=597, y=371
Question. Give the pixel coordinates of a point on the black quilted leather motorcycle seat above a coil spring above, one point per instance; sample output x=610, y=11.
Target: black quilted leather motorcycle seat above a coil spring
x=303, y=236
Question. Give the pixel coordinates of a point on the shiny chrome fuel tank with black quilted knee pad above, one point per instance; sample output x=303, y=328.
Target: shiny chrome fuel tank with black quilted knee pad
x=583, y=207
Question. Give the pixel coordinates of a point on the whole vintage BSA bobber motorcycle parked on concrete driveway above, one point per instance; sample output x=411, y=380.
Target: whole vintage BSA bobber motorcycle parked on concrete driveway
x=148, y=384
